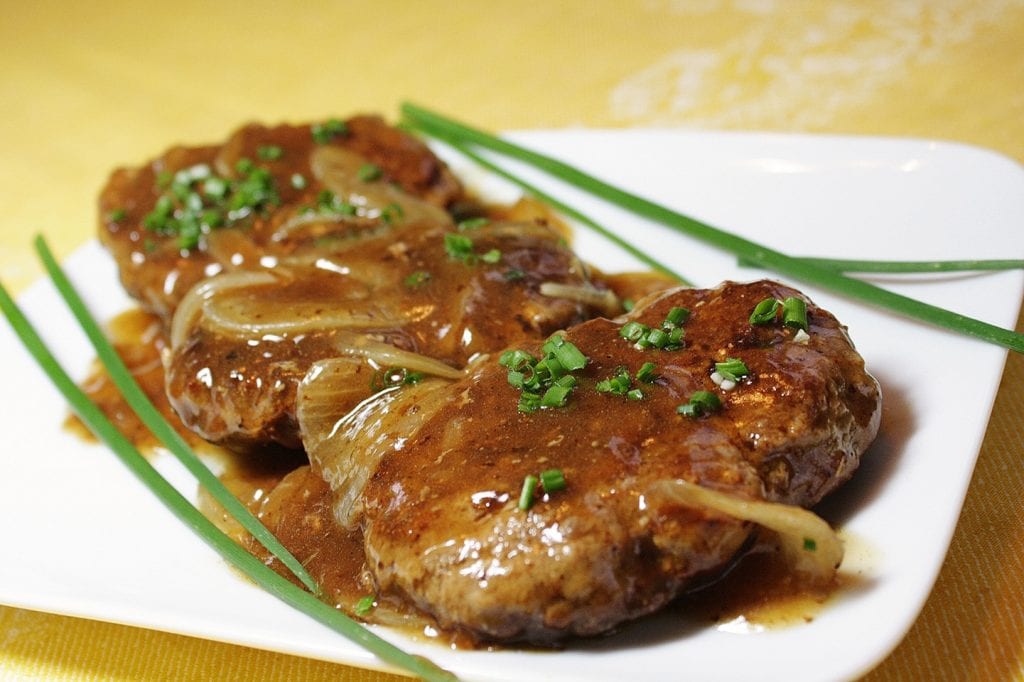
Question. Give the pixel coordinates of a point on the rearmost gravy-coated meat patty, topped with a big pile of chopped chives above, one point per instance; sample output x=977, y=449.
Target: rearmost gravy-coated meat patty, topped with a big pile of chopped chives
x=197, y=211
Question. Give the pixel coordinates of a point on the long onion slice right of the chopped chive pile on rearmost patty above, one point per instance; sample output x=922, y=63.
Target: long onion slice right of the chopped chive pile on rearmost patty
x=338, y=169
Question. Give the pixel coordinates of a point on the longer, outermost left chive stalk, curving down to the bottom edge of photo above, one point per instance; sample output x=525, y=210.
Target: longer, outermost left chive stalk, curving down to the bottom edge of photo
x=181, y=507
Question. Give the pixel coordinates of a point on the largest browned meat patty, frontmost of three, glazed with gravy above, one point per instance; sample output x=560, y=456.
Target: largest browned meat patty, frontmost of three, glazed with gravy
x=440, y=509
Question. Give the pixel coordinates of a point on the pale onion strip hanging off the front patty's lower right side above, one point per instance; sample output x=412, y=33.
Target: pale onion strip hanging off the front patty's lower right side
x=809, y=544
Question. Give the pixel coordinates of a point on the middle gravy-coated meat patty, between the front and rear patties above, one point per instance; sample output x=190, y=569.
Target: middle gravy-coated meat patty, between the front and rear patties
x=239, y=354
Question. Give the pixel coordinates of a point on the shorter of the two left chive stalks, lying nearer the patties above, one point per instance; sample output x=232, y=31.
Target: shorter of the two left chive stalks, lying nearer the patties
x=141, y=405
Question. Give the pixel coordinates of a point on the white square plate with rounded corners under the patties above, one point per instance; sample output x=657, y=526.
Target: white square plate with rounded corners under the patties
x=93, y=542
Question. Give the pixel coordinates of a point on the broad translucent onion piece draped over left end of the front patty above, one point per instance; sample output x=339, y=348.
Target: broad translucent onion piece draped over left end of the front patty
x=348, y=444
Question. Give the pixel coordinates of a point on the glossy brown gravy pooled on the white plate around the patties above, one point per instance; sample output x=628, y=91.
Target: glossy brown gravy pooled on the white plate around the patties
x=759, y=592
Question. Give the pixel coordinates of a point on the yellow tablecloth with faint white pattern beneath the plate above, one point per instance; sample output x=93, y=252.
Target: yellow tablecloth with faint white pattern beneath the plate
x=89, y=87
